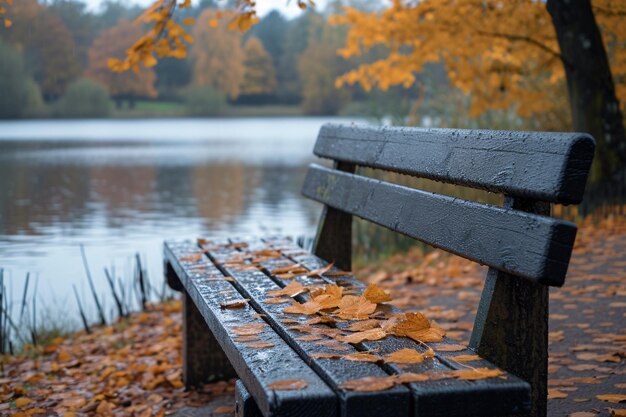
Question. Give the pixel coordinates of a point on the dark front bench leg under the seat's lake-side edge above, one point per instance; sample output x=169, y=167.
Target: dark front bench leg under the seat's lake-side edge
x=203, y=358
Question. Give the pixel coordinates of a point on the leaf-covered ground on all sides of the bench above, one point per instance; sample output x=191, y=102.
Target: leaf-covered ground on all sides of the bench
x=134, y=367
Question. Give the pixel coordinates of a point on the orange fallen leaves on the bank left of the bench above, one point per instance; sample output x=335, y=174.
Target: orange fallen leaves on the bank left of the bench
x=132, y=368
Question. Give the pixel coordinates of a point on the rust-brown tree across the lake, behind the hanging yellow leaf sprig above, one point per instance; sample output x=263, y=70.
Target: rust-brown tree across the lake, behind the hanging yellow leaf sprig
x=128, y=85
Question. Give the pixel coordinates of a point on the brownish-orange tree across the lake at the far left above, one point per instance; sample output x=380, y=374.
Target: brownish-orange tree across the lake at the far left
x=49, y=49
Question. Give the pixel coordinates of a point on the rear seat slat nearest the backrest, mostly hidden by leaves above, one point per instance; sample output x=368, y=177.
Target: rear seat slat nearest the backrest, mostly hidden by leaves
x=430, y=398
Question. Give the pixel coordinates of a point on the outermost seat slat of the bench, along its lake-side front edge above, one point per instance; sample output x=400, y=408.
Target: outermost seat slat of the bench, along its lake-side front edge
x=256, y=367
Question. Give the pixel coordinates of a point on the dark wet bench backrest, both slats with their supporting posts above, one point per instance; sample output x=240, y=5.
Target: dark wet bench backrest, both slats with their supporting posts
x=532, y=170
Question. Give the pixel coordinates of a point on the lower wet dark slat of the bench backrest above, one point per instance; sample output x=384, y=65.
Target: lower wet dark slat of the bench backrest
x=523, y=244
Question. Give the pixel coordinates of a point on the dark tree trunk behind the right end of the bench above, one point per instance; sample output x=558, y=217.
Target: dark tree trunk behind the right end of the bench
x=594, y=105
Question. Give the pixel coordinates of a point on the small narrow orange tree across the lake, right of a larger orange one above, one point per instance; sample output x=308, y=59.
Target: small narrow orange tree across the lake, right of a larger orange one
x=259, y=76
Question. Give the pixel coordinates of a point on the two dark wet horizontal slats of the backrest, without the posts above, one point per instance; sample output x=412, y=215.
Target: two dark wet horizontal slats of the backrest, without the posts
x=524, y=166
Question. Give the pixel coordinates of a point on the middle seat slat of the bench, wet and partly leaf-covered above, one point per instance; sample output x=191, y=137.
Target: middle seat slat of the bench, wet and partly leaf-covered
x=255, y=285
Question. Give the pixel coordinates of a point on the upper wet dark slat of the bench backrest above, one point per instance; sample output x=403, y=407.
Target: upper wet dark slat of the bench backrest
x=550, y=167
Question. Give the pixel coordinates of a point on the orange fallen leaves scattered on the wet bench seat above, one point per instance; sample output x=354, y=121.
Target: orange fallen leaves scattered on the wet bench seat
x=345, y=317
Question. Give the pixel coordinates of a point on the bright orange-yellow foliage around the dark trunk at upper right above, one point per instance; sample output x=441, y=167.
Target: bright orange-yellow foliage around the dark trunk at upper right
x=503, y=53
